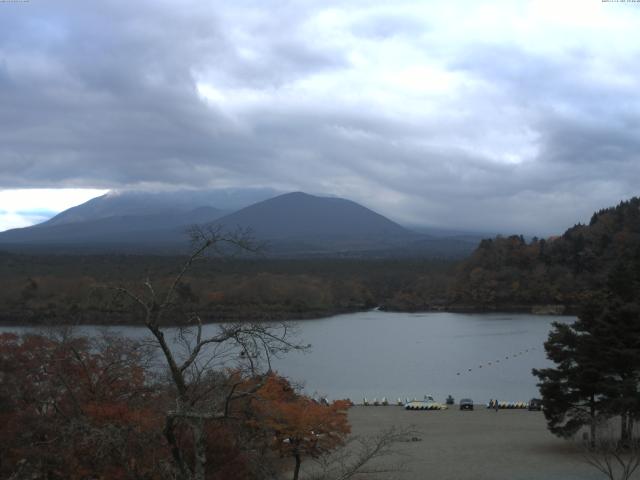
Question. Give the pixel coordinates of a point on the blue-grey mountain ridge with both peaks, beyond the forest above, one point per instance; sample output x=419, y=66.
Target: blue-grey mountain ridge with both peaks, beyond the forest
x=294, y=223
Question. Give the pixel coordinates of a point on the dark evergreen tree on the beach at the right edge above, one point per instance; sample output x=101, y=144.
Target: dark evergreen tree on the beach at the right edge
x=597, y=359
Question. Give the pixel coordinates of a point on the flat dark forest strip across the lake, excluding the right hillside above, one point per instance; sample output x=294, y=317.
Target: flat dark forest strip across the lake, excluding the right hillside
x=78, y=289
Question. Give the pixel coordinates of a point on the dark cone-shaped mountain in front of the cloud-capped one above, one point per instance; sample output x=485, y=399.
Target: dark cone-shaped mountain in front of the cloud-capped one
x=306, y=225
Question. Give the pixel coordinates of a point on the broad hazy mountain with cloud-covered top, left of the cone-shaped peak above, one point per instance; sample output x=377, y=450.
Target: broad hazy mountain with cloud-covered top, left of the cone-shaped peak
x=132, y=221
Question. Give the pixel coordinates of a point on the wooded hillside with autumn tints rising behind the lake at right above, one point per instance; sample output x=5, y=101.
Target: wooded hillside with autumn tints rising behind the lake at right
x=565, y=270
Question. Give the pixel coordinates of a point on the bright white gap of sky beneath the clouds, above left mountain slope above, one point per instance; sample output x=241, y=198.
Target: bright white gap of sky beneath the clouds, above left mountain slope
x=25, y=207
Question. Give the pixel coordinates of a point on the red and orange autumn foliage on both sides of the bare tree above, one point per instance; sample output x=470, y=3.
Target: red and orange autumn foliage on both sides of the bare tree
x=79, y=409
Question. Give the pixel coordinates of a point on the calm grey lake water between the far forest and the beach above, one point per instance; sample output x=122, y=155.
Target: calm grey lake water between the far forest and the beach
x=384, y=354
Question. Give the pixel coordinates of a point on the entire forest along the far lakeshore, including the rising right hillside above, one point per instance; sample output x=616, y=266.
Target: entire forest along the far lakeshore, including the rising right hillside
x=552, y=275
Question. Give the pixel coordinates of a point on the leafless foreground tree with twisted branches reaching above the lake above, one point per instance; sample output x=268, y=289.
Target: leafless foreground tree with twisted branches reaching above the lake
x=202, y=394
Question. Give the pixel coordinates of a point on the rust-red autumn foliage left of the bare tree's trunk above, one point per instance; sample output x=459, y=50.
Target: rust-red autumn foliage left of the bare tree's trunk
x=75, y=405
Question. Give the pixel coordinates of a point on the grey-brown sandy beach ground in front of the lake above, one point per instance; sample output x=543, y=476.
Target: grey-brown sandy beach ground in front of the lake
x=476, y=445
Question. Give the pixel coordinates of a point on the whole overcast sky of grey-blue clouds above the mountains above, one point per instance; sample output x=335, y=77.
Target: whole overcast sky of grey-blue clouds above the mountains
x=506, y=116
